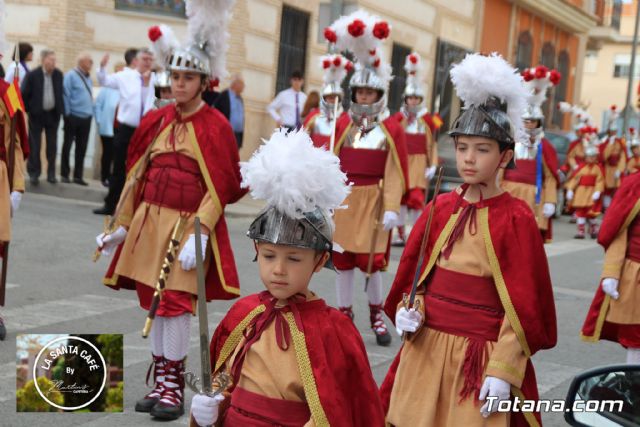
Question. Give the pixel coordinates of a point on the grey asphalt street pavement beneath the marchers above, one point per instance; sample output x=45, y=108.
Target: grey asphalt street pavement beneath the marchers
x=54, y=287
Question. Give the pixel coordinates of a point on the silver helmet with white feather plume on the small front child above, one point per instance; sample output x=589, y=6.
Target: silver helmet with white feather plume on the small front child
x=301, y=185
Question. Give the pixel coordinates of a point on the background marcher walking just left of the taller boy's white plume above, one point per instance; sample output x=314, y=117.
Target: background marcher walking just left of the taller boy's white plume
x=419, y=127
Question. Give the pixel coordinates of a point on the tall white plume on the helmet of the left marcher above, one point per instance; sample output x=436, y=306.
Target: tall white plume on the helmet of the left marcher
x=207, y=22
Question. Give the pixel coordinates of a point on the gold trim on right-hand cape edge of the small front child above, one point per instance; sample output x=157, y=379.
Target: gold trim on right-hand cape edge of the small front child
x=306, y=373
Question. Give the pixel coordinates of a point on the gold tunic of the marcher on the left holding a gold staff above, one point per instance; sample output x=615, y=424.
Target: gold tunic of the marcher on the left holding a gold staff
x=152, y=225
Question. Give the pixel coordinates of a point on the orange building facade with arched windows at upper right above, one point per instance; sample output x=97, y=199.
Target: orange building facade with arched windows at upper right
x=549, y=32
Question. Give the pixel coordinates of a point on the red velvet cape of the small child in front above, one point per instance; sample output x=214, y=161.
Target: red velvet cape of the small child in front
x=347, y=391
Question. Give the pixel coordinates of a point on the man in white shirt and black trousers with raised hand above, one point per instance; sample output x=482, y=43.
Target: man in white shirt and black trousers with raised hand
x=135, y=84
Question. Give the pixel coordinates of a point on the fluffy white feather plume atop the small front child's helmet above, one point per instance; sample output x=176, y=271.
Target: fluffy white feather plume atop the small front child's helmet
x=288, y=172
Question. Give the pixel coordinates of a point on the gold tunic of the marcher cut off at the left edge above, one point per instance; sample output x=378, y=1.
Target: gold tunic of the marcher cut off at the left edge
x=18, y=175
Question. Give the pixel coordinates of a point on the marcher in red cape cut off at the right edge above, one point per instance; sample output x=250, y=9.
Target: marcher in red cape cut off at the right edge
x=613, y=315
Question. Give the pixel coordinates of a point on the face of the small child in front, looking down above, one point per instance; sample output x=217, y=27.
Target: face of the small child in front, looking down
x=286, y=270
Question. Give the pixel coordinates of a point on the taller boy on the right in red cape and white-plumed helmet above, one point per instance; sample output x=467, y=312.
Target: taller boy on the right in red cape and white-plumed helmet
x=484, y=283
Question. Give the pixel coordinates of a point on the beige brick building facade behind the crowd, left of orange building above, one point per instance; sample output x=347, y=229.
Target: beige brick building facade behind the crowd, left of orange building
x=268, y=40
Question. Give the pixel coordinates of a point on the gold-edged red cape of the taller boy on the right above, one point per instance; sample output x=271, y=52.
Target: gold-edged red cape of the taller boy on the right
x=514, y=238
